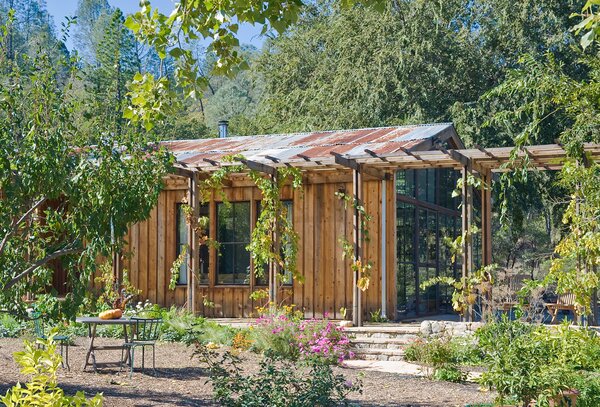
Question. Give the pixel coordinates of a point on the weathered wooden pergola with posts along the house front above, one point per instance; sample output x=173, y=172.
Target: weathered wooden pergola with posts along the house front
x=365, y=161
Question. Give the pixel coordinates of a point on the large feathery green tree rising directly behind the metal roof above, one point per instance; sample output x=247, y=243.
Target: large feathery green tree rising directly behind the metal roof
x=417, y=61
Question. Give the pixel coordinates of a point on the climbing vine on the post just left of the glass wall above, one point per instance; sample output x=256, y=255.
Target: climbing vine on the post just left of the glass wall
x=362, y=267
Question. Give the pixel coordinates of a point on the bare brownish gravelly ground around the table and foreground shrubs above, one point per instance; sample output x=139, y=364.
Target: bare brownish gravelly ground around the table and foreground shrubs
x=180, y=380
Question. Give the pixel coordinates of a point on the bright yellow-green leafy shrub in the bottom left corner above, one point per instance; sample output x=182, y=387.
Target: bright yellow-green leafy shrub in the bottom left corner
x=40, y=361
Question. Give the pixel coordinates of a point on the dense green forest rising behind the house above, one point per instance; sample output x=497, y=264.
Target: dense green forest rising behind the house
x=492, y=67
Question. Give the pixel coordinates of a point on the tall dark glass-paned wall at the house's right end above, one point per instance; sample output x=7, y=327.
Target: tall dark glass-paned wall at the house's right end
x=426, y=213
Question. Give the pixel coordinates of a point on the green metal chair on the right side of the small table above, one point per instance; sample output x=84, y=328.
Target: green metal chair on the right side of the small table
x=144, y=332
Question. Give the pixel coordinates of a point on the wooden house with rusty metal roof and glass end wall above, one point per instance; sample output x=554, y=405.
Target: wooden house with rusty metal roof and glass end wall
x=404, y=176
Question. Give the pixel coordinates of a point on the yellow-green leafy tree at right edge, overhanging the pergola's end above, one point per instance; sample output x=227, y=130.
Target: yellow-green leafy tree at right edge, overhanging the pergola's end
x=556, y=100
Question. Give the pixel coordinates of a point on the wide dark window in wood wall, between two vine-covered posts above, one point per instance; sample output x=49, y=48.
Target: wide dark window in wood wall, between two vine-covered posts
x=233, y=235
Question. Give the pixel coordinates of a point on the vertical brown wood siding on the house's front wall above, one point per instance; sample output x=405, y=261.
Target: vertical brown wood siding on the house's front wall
x=320, y=219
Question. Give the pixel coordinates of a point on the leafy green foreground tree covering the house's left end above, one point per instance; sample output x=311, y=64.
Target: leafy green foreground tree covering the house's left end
x=63, y=199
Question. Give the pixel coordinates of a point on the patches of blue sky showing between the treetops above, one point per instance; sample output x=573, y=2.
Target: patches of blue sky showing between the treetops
x=61, y=8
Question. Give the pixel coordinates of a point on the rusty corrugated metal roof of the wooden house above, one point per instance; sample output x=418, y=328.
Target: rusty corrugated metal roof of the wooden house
x=317, y=146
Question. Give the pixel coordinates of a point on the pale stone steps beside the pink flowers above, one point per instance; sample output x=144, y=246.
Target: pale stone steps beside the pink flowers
x=381, y=342
